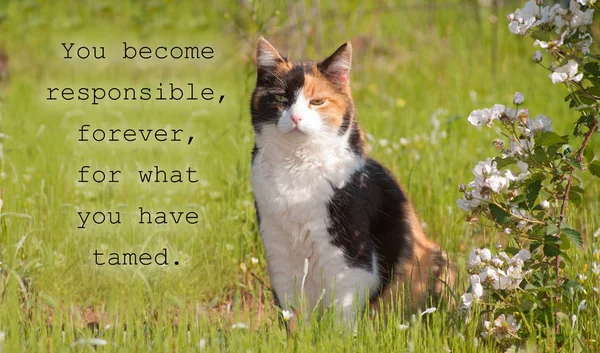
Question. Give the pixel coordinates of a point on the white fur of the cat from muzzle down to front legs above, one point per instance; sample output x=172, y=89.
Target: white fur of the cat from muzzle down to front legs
x=292, y=176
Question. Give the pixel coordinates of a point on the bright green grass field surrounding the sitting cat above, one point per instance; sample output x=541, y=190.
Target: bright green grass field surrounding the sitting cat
x=409, y=62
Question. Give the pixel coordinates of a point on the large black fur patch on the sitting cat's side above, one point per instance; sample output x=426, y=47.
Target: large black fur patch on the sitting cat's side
x=369, y=214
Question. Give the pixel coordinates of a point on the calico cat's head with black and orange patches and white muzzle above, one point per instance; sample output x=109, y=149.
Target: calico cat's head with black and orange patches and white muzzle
x=302, y=101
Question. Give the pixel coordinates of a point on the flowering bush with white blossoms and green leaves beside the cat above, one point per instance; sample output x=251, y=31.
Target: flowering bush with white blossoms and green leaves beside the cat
x=526, y=188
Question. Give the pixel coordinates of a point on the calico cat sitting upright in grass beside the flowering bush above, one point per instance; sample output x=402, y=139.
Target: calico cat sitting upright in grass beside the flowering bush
x=320, y=199
